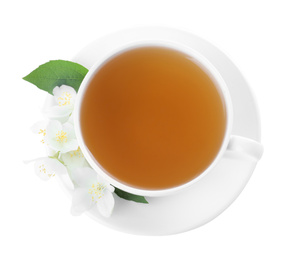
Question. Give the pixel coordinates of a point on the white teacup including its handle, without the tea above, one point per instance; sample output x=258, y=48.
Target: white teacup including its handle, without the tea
x=230, y=142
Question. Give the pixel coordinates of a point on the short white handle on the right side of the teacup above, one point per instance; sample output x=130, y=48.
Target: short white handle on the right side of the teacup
x=246, y=146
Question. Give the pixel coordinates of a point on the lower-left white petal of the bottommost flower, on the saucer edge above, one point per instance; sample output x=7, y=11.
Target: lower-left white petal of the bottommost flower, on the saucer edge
x=81, y=201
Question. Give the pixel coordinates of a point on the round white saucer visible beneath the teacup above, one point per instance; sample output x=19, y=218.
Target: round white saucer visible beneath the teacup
x=206, y=199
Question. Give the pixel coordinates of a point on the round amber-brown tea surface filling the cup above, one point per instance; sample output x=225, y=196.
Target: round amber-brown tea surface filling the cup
x=152, y=118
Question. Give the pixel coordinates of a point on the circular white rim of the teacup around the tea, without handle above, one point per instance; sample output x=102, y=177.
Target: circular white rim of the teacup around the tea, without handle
x=201, y=61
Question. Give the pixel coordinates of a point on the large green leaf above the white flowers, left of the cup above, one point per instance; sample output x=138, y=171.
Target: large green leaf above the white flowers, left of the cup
x=56, y=73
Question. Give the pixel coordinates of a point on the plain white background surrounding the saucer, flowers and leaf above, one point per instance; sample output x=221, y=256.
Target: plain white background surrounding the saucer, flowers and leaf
x=257, y=35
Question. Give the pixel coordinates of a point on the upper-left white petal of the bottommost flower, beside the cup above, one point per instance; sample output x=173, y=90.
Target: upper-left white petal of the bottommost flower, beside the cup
x=84, y=177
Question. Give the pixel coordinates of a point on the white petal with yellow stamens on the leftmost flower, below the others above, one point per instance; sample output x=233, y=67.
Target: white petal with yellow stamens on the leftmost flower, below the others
x=46, y=167
